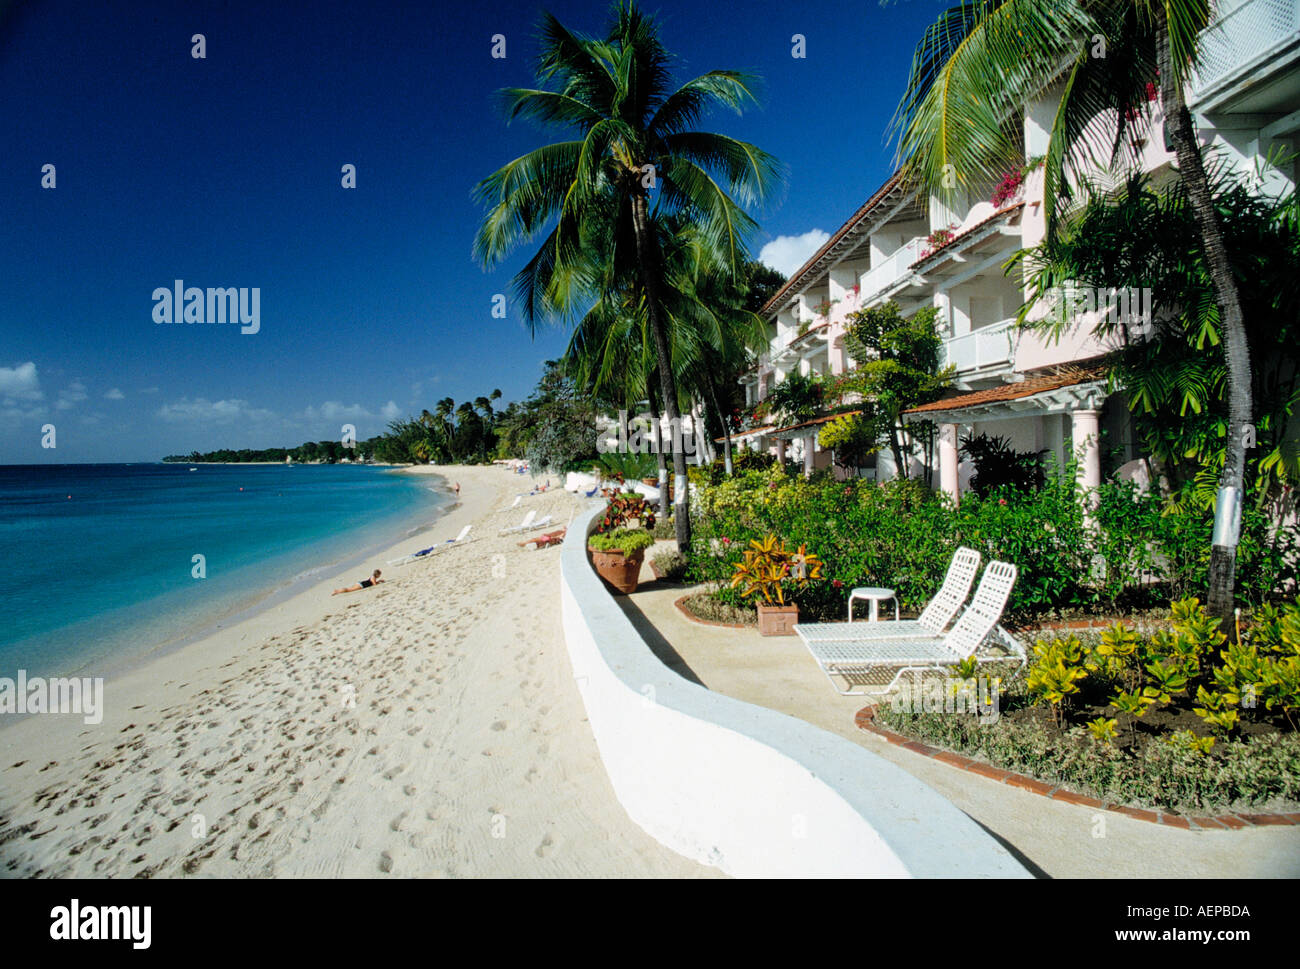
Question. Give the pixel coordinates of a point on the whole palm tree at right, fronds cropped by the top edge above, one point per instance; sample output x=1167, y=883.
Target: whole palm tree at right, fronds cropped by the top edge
x=955, y=131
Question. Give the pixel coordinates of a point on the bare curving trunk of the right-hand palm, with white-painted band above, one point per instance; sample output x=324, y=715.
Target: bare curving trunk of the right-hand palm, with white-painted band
x=1228, y=513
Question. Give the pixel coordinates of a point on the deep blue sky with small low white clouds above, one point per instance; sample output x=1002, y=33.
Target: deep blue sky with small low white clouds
x=227, y=172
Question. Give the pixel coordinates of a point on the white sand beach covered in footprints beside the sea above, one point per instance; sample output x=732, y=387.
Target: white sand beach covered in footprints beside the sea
x=427, y=728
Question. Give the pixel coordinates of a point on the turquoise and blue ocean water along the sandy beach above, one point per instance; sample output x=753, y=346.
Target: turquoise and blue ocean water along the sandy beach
x=98, y=560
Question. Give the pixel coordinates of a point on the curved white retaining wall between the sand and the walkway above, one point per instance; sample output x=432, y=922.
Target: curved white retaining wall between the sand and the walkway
x=743, y=788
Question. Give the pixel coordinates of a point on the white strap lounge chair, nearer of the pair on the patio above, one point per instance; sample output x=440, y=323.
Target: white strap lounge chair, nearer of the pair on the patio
x=861, y=656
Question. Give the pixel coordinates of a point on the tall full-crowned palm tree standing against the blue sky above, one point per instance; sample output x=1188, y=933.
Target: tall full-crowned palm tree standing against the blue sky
x=635, y=155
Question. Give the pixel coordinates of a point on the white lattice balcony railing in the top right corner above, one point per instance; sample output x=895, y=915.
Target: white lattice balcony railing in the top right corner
x=1243, y=34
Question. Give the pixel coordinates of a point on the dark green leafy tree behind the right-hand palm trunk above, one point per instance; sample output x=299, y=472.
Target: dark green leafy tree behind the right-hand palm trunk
x=1175, y=371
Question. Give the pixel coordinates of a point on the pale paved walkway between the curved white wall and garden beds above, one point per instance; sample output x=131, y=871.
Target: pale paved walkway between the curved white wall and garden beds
x=1054, y=840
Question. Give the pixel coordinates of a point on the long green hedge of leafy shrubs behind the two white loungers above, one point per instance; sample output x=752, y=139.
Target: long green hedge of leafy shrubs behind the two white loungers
x=1141, y=555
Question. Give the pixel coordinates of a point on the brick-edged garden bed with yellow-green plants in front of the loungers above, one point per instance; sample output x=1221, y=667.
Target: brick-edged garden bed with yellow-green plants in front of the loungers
x=1180, y=720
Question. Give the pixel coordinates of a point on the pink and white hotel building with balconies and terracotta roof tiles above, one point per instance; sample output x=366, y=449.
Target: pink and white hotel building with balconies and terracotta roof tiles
x=1041, y=395
